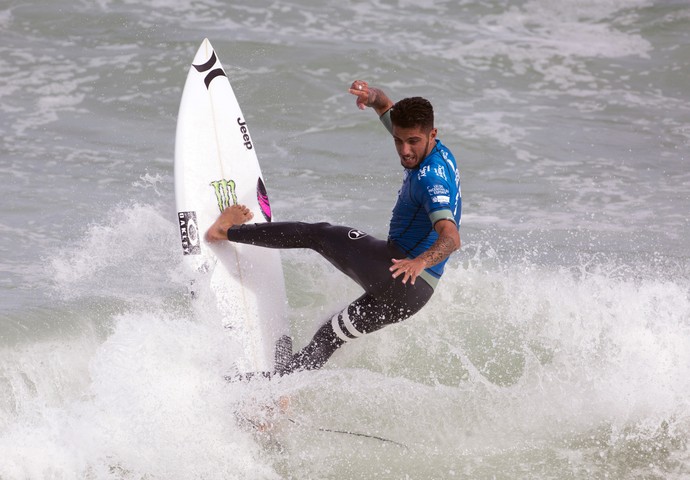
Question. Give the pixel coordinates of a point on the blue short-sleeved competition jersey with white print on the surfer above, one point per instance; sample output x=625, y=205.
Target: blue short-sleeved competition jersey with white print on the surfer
x=429, y=193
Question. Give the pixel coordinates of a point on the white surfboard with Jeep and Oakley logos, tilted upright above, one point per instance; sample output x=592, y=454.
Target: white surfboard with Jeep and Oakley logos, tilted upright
x=216, y=166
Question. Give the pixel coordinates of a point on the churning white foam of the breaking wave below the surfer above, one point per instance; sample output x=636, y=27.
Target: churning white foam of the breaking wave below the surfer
x=588, y=350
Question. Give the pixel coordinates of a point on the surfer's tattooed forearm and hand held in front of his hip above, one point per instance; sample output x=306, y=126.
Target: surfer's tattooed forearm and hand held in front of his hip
x=447, y=242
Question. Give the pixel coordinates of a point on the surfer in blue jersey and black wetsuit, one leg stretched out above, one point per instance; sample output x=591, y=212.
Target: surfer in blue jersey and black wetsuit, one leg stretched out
x=399, y=274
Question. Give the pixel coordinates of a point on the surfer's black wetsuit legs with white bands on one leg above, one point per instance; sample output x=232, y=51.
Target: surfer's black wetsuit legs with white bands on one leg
x=363, y=258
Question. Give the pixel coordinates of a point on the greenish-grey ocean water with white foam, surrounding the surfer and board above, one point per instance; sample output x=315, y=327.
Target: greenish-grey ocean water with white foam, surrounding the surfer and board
x=557, y=345
